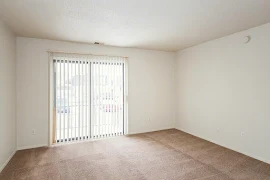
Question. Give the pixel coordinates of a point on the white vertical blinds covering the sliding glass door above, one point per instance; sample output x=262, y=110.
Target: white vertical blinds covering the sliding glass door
x=88, y=97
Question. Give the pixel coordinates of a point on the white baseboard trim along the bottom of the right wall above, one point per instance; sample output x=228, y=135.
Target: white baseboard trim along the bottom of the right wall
x=223, y=145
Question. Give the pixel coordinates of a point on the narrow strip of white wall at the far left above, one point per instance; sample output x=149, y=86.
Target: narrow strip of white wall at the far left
x=7, y=94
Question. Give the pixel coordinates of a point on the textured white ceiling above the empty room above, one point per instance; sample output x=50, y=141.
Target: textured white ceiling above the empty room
x=167, y=25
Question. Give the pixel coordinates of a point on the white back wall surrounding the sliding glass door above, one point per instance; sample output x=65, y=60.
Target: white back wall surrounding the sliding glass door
x=150, y=87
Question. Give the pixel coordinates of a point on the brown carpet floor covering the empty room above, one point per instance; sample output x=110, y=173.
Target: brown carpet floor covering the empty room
x=168, y=154
